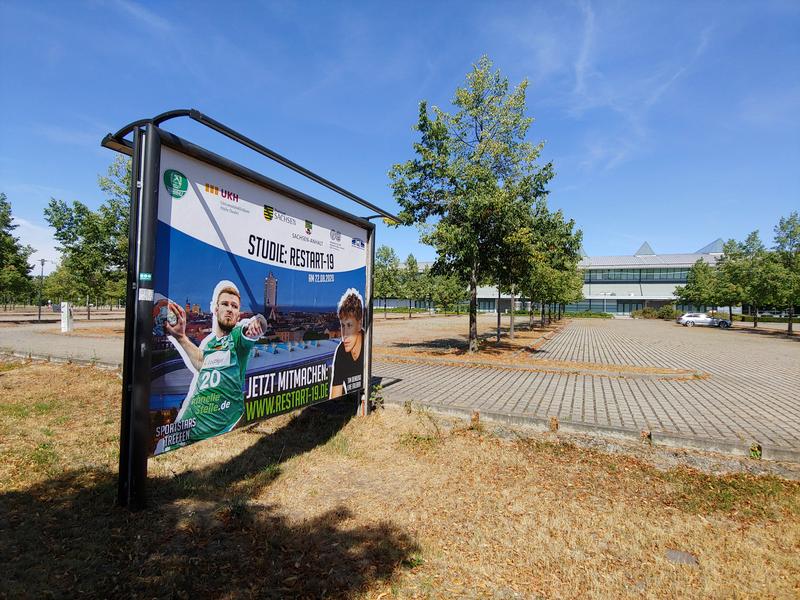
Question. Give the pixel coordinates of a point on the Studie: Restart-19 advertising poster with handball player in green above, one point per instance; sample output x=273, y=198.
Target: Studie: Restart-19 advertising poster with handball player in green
x=259, y=304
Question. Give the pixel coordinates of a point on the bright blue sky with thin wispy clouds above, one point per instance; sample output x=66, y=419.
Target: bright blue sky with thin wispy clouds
x=672, y=122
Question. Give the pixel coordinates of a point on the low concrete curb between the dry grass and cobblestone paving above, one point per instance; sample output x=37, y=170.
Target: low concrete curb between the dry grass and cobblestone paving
x=658, y=438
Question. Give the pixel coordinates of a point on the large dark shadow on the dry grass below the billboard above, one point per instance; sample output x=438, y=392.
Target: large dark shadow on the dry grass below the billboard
x=202, y=537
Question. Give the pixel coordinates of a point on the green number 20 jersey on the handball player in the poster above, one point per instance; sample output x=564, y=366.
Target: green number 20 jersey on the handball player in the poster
x=217, y=401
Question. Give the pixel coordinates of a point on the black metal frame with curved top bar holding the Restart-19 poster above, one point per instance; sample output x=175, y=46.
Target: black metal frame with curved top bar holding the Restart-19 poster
x=145, y=152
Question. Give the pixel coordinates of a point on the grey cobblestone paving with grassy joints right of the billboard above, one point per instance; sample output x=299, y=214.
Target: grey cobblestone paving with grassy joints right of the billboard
x=750, y=391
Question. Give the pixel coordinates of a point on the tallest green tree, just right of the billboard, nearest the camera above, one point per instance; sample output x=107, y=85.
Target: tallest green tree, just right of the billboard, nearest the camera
x=458, y=186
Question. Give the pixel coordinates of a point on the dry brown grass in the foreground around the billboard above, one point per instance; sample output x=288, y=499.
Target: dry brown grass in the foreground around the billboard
x=400, y=504
